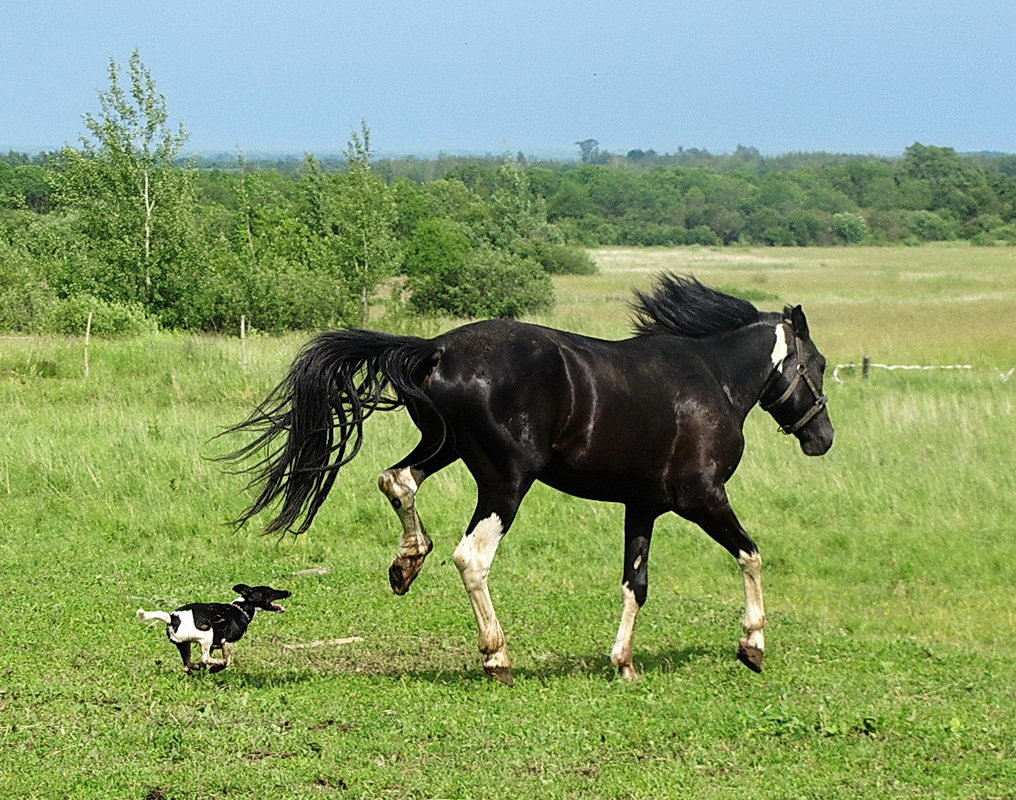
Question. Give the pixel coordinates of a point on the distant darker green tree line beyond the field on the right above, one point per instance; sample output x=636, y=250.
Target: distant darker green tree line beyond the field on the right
x=930, y=194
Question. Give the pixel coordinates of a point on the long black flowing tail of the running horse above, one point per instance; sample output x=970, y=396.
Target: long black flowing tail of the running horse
x=311, y=424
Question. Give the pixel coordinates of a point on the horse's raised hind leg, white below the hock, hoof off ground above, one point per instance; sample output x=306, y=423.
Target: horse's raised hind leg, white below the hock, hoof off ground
x=400, y=485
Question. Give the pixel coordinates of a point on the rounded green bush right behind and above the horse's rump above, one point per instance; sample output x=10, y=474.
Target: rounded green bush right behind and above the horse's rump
x=490, y=284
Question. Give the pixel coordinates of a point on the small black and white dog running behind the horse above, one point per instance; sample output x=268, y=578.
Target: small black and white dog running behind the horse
x=216, y=626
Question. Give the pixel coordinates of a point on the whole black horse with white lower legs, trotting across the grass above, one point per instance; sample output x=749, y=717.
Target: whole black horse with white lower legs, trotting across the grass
x=654, y=422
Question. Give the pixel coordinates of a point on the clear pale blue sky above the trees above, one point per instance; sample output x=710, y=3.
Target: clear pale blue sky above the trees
x=782, y=76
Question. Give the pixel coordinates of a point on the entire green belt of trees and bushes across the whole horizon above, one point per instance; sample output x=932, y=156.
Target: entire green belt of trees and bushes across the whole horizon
x=126, y=228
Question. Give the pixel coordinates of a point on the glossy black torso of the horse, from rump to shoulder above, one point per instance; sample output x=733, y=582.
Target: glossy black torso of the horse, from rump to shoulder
x=610, y=420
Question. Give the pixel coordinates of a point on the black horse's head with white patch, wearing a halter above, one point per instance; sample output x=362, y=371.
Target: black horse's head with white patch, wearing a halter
x=794, y=396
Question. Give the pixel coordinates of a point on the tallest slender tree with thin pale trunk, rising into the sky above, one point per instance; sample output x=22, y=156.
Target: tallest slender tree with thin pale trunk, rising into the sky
x=132, y=203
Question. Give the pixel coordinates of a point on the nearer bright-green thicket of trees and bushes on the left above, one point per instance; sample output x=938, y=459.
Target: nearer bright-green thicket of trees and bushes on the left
x=123, y=228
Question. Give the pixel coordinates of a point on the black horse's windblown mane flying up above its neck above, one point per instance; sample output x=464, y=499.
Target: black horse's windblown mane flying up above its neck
x=681, y=305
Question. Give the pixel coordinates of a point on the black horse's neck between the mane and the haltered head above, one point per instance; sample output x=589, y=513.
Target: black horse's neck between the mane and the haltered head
x=742, y=360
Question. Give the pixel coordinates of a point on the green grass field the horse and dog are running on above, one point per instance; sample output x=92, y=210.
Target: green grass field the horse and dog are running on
x=890, y=573
